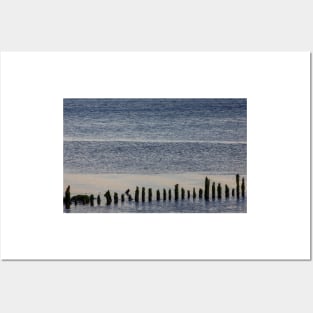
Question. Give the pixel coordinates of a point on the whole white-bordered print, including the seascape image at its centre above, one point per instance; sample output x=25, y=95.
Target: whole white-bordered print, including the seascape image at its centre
x=157, y=155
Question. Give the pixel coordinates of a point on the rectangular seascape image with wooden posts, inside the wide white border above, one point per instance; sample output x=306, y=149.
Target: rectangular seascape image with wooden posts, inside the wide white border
x=157, y=155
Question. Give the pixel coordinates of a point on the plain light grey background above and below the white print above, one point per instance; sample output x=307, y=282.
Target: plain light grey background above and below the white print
x=247, y=286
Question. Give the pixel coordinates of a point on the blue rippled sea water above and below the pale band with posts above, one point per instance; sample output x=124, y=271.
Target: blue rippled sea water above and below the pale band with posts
x=157, y=136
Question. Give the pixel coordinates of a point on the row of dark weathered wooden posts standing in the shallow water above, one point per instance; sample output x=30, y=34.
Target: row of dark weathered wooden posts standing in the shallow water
x=215, y=192
